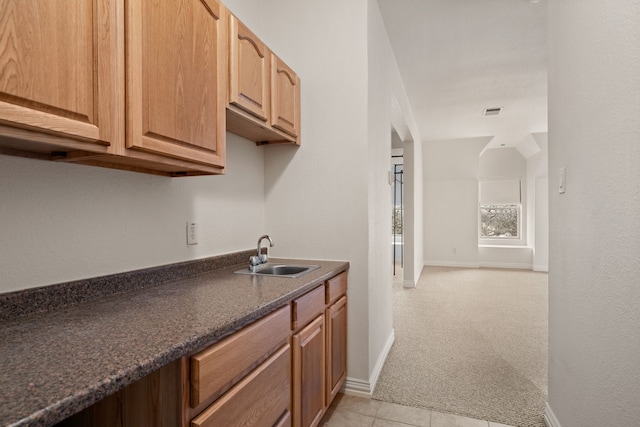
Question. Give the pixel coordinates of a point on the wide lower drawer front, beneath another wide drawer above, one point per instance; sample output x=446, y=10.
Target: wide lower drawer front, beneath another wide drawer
x=263, y=398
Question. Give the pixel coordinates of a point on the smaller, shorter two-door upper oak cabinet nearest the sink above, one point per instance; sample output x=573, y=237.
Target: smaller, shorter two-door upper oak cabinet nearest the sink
x=264, y=93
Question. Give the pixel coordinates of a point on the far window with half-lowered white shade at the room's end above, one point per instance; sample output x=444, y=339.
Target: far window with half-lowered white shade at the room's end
x=500, y=208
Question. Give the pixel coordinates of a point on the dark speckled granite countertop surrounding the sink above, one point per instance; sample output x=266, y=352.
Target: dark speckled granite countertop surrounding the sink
x=56, y=363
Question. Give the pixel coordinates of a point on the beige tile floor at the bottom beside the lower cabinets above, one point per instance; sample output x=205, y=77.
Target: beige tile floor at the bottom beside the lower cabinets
x=352, y=411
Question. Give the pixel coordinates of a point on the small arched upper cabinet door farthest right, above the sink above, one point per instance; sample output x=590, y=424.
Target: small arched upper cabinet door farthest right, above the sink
x=285, y=98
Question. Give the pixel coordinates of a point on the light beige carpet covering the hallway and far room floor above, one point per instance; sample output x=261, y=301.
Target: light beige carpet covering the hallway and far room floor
x=471, y=342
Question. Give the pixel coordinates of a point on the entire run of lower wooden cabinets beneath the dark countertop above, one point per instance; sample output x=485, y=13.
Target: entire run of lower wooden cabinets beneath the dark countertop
x=282, y=370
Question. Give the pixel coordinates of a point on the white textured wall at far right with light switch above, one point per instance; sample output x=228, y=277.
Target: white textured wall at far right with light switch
x=594, y=268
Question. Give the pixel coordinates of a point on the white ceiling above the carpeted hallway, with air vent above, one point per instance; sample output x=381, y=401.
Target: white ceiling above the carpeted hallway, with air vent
x=458, y=57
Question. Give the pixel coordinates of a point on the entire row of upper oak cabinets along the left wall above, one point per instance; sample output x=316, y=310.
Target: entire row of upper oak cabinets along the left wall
x=139, y=85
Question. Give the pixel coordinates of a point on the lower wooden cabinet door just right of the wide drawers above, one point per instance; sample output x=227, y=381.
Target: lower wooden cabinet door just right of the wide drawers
x=309, y=374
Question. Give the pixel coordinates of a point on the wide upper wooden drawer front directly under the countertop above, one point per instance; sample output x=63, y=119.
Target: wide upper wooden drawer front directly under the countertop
x=216, y=369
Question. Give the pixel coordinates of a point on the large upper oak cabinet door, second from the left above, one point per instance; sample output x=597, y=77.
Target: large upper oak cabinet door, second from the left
x=175, y=79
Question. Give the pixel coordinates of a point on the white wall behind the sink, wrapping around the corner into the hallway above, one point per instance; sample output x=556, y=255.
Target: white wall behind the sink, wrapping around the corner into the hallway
x=330, y=198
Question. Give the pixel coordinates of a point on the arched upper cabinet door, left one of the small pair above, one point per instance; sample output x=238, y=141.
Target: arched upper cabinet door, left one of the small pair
x=248, y=70
